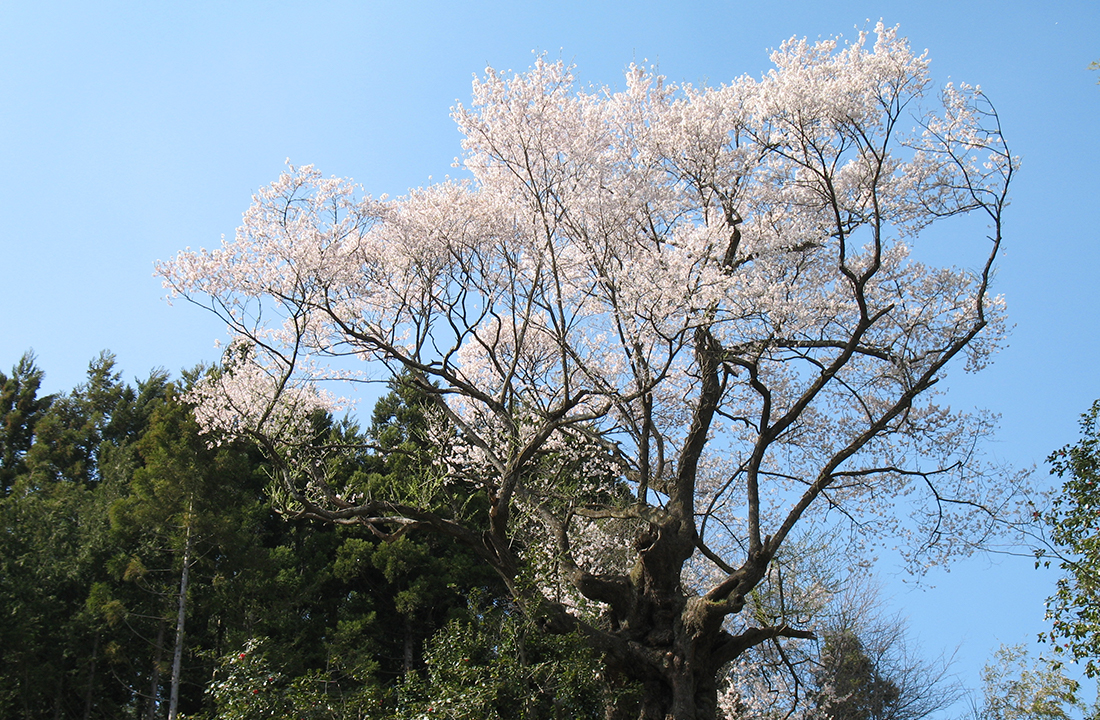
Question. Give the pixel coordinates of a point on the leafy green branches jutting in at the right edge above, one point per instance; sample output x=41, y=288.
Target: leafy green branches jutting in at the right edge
x=1074, y=526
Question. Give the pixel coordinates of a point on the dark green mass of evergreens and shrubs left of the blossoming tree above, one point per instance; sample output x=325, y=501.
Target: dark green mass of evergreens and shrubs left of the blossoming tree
x=102, y=488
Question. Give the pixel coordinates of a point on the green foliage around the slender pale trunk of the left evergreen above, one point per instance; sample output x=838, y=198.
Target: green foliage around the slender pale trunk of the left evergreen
x=180, y=492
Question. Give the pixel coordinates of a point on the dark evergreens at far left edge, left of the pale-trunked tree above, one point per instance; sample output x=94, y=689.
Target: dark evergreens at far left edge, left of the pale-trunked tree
x=56, y=544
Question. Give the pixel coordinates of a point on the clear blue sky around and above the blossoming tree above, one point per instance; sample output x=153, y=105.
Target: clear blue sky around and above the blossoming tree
x=130, y=131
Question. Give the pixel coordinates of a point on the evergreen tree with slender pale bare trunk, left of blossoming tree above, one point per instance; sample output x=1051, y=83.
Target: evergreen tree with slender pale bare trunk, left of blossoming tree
x=190, y=512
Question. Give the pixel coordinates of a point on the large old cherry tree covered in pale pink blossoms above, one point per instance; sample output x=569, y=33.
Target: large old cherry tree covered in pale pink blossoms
x=664, y=329
